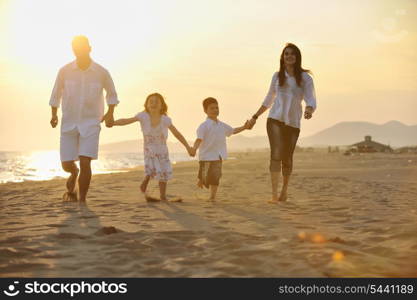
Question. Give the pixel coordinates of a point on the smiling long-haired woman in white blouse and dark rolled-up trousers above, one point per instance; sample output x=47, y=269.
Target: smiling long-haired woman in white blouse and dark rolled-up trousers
x=289, y=86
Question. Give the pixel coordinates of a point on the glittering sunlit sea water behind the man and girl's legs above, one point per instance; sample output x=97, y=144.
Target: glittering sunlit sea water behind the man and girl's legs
x=45, y=165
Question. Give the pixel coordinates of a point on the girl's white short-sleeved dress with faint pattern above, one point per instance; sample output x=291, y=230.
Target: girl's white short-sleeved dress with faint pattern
x=157, y=163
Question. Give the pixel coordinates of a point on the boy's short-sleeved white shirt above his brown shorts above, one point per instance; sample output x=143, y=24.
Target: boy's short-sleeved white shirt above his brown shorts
x=213, y=135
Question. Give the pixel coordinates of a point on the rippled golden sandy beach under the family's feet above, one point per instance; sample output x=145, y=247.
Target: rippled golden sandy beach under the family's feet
x=347, y=216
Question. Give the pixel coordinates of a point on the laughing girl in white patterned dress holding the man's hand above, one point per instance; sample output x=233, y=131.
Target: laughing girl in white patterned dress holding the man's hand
x=155, y=123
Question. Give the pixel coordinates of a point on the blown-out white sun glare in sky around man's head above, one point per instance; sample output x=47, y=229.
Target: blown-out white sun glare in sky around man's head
x=41, y=31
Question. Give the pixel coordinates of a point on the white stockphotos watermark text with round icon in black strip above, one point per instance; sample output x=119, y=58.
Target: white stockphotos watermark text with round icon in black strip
x=61, y=288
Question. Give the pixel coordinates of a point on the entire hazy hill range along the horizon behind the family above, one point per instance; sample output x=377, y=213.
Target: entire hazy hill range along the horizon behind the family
x=393, y=133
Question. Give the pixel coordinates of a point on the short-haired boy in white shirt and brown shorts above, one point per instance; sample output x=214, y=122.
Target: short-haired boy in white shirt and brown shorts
x=211, y=138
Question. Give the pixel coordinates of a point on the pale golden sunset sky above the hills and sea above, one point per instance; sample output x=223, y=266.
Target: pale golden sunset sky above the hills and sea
x=362, y=54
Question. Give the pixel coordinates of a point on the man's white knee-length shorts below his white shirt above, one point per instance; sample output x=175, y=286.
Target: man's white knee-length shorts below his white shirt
x=73, y=145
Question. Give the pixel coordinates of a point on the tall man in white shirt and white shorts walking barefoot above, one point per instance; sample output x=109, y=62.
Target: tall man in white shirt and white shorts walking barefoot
x=80, y=85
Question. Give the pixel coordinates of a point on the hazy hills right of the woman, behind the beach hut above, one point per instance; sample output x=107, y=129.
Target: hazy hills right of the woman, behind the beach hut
x=393, y=133
